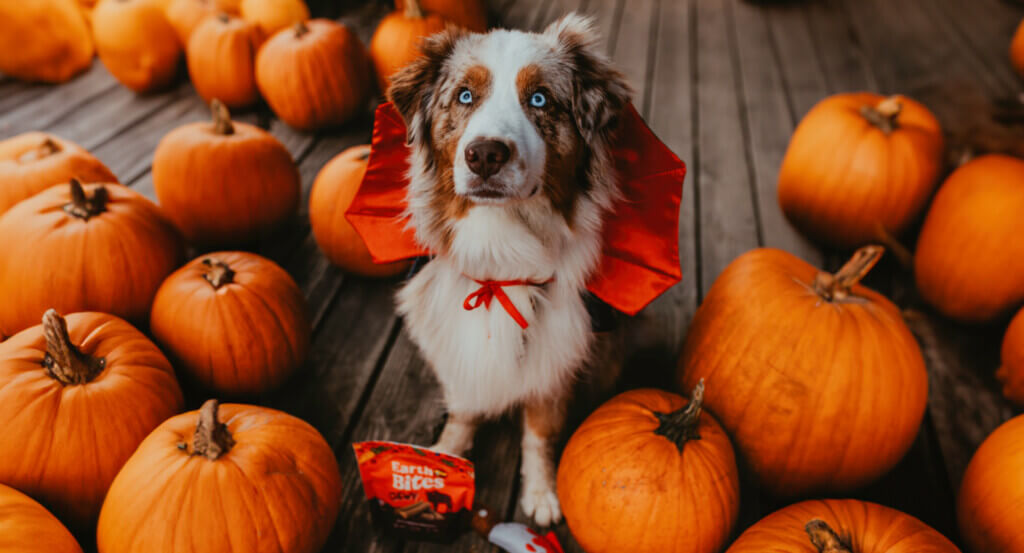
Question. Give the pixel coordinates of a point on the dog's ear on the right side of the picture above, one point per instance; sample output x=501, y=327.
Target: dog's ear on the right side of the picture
x=600, y=92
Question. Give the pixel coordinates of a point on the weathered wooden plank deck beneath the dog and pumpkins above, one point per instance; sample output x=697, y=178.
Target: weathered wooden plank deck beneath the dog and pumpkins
x=723, y=83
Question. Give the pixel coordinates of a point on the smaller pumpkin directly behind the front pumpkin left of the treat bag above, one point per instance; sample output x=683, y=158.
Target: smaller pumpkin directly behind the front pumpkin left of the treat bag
x=234, y=322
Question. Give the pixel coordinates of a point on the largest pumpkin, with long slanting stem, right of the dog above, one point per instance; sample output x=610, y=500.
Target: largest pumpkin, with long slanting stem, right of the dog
x=817, y=378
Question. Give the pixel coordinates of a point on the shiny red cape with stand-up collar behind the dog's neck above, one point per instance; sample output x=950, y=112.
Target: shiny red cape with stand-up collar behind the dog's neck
x=641, y=257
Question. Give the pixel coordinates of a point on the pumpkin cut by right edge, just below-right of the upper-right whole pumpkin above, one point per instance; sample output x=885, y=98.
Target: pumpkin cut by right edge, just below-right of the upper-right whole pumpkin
x=970, y=259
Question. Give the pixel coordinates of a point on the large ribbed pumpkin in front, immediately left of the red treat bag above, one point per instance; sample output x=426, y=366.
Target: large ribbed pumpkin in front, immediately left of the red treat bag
x=260, y=482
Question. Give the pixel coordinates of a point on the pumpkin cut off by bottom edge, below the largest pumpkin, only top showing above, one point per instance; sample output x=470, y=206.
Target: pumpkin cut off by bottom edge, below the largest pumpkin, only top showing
x=841, y=527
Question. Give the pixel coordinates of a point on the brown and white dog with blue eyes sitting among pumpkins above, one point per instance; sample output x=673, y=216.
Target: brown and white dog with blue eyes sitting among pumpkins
x=510, y=177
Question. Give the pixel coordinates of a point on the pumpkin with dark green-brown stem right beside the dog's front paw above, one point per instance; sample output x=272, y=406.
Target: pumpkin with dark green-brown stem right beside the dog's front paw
x=649, y=473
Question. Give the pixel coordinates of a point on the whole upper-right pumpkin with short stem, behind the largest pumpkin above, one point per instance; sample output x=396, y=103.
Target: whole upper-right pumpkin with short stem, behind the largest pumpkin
x=860, y=165
